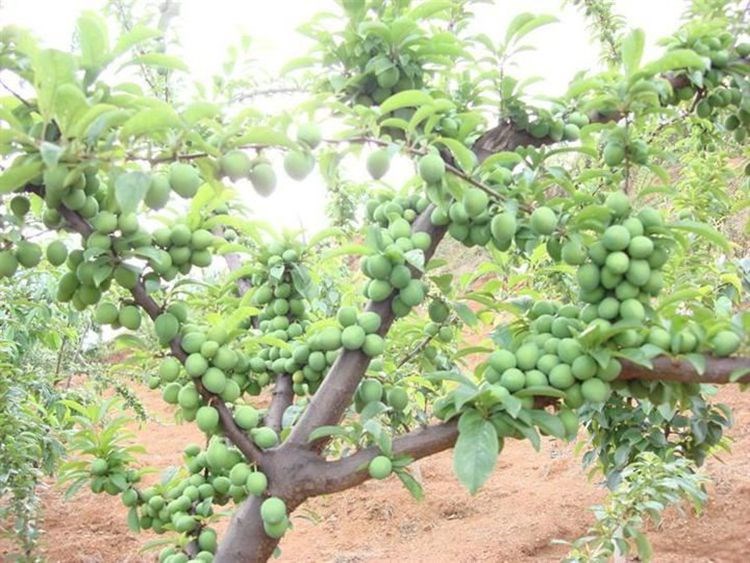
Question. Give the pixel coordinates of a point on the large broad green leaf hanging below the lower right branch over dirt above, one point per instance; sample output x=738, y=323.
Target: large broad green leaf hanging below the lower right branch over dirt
x=476, y=450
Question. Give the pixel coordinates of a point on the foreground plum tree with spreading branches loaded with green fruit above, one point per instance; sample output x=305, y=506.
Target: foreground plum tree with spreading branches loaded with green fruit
x=367, y=373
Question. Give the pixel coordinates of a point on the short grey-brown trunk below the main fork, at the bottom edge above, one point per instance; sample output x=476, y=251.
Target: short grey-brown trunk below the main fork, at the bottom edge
x=245, y=540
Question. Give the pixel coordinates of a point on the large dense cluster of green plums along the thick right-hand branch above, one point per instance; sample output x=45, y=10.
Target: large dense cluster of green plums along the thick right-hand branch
x=618, y=275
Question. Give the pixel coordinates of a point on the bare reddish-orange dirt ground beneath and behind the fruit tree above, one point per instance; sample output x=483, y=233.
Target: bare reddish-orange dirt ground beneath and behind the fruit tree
x=532, y=499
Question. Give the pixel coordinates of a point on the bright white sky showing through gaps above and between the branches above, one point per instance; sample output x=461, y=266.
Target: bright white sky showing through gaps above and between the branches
x=207, y=28
